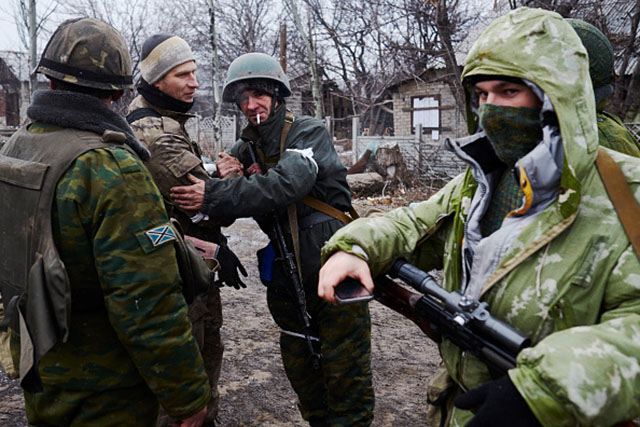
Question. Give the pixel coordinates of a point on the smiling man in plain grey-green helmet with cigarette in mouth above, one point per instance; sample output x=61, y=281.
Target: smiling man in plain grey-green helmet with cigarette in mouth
x=297, y=160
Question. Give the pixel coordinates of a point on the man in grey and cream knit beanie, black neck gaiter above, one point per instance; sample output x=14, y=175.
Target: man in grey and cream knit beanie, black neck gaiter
x=157, y=116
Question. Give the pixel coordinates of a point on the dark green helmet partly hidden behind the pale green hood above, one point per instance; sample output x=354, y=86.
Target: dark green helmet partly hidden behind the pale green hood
x=601, y=57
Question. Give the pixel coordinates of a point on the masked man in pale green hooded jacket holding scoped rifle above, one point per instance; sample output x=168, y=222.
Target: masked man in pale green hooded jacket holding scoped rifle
x=546, y=251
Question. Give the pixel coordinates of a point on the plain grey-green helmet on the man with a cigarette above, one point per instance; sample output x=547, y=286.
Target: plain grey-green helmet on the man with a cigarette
x=255, y=71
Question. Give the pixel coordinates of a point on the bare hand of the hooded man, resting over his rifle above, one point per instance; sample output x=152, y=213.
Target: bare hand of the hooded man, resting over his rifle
x=338, y=267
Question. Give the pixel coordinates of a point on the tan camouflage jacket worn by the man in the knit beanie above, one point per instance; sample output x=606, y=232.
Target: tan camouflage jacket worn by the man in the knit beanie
x=173, y=155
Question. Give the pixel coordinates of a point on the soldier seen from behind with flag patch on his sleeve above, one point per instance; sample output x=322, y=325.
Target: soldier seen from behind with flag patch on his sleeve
x=101, y=335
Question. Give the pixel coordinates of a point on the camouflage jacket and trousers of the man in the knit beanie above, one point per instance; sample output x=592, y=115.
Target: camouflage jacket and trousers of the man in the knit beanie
x=174, y=155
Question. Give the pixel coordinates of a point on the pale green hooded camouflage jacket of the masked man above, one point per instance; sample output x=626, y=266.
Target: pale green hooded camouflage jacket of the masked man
x=561, y=268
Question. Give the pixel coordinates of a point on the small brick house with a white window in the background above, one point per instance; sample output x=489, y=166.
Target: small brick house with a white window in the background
x=426, y=100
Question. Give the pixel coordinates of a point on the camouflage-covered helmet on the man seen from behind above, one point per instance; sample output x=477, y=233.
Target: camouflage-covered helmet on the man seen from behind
x=87, y=52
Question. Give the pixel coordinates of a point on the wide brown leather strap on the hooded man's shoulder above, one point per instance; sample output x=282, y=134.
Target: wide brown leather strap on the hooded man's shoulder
x=620, y=194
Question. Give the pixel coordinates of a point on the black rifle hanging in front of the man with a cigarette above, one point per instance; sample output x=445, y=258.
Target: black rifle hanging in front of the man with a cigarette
x=290, y=267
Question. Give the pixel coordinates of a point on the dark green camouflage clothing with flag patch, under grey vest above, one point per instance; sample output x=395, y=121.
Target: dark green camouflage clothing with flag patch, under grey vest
x=130, y=344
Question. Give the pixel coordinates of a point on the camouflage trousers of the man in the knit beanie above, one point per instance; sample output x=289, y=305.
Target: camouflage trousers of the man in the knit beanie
x=205, y=314
